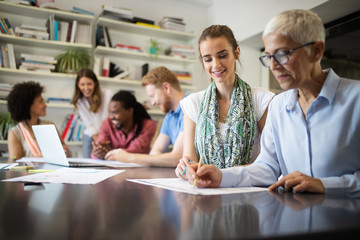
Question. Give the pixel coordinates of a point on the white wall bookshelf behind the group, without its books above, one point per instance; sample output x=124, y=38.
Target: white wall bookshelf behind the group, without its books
x=61, y=84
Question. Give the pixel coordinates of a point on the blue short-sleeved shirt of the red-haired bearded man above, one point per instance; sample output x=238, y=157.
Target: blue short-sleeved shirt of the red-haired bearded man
x=173, y=124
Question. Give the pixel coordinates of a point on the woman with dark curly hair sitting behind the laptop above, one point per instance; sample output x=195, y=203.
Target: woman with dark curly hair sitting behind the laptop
x=26, y=106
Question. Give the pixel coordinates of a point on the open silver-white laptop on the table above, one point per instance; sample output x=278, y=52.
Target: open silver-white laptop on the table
x=52, y=150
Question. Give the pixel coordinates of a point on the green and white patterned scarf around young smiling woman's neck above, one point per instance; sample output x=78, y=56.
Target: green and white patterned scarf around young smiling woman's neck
x=240, y=127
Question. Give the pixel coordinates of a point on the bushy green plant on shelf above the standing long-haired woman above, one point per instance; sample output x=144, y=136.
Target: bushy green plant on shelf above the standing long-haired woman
x=72, y=61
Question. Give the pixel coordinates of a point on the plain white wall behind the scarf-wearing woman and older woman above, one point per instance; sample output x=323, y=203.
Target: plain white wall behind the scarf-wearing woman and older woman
x=248, y=18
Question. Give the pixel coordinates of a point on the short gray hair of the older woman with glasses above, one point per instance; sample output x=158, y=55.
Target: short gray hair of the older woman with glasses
x=302, y=26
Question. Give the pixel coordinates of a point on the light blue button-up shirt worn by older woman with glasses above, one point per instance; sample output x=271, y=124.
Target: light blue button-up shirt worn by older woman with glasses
x=325, y=144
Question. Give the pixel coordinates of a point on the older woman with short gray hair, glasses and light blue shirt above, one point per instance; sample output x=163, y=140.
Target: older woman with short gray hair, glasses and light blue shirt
x=312, y=133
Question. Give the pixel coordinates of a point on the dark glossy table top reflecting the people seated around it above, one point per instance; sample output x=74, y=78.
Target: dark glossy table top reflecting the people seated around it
x=119, y=209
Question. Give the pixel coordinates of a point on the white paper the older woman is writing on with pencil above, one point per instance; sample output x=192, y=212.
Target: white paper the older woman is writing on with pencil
x=179, y=185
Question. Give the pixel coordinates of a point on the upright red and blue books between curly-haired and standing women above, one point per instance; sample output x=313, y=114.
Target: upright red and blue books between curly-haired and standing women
x=73, y=128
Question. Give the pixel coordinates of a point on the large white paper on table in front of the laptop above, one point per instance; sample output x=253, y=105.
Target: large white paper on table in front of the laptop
x=69, y=175
